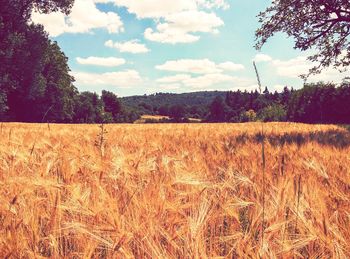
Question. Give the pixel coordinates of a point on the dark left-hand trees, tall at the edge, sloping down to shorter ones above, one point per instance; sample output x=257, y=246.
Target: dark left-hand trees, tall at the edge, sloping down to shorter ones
x=35, y=84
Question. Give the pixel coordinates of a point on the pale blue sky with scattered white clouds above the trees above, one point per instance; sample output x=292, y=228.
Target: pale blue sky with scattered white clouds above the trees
x=136, y=47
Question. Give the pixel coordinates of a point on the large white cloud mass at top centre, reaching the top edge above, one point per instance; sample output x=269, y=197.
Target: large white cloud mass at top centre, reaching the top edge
x=177, y=21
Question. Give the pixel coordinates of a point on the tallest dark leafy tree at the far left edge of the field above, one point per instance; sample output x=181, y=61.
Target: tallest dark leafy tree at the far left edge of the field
x=26, y=54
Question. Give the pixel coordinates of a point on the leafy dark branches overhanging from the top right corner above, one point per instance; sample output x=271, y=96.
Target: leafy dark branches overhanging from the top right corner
x=323, y=25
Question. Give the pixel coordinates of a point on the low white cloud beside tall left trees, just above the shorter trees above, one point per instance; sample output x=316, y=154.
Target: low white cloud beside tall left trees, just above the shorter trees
x=122, y=79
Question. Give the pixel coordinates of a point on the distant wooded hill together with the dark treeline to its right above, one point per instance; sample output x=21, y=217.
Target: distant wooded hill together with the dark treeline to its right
x=314, y=103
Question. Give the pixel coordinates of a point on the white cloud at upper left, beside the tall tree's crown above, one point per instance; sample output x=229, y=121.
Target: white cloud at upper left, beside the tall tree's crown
x=84, y=18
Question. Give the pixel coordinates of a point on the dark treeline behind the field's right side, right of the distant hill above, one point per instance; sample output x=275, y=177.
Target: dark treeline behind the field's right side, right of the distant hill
x=315, y=103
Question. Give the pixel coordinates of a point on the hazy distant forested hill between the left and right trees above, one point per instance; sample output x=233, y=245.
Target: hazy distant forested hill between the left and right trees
x=157, y=103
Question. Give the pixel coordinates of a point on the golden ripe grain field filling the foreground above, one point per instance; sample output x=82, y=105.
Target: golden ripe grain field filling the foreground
x=253, y=190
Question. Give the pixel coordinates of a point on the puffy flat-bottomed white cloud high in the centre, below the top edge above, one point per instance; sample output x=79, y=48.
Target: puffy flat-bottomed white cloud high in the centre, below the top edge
x=180, y=27
